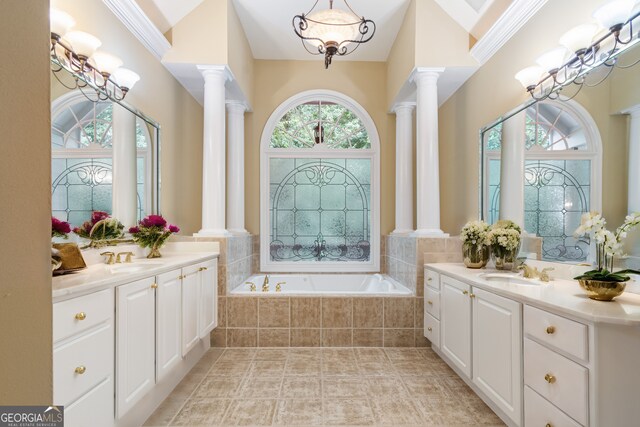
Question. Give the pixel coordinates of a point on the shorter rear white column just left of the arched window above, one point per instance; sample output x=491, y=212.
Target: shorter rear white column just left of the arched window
x=235, y=185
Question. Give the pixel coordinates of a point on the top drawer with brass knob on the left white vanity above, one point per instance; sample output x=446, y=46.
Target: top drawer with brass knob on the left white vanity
x=78, y=314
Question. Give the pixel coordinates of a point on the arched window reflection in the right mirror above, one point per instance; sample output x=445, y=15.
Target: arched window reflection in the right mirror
x=562, y=175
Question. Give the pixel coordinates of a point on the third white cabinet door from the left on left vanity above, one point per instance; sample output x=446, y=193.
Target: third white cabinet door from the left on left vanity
x=190, y=291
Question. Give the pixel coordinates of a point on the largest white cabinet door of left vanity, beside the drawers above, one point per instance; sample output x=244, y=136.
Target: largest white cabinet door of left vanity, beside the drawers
x=135, y=345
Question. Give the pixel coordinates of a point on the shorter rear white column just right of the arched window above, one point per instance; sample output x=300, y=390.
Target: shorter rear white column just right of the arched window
x=404, y=168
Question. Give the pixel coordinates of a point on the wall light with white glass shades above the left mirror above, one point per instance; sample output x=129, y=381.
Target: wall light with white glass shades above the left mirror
x=76, y=52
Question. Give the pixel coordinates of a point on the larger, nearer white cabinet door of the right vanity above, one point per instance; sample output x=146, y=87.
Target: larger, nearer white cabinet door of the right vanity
x=497, y=350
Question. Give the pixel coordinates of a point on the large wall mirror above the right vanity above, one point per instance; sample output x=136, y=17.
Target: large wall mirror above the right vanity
x=575, y=159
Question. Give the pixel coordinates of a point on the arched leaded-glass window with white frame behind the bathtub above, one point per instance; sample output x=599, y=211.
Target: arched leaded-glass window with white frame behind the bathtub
x=320, y=186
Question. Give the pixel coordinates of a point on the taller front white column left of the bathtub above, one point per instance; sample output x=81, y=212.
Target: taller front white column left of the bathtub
x=213, y=153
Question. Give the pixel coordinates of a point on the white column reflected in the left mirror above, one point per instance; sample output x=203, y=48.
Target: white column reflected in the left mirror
x=124, y=196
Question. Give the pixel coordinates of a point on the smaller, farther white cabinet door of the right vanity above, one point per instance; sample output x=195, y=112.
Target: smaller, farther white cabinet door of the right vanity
x=455, y=323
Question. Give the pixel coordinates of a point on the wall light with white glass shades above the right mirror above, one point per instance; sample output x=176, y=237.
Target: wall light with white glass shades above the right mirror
x=583, y=49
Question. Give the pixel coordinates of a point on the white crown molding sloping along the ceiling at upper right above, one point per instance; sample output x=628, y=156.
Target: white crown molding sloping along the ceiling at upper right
x=516, y=15
